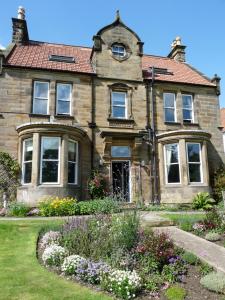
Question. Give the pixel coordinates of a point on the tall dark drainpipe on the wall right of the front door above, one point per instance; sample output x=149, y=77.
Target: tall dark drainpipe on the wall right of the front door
x=155, y=197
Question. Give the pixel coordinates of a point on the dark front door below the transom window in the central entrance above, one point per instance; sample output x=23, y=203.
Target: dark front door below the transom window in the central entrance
x=121, y=179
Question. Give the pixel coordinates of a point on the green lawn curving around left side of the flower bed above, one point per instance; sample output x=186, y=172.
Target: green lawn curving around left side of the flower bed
x=21, y=275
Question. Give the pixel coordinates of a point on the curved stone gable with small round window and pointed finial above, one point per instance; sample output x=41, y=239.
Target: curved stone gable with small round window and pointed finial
x=117, y=52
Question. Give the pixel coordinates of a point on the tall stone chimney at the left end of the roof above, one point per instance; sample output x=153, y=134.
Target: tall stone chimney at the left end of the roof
x=20, y=32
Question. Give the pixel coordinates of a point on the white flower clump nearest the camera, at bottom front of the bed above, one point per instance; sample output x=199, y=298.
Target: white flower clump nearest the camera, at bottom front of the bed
x=124, y=284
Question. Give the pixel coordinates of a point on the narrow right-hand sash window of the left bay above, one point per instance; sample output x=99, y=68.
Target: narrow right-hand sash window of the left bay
x=72, y=162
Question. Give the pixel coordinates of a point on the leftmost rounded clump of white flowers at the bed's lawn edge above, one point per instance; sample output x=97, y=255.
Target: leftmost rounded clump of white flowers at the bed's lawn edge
x=53, y=255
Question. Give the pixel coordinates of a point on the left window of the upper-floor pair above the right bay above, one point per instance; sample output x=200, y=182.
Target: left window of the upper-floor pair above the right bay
x=169, y=107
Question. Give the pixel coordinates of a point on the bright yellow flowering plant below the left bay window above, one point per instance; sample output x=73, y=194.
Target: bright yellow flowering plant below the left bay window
x=55, y=206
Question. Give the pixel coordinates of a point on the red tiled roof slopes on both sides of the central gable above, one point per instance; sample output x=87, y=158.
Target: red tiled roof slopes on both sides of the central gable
x=36, y=55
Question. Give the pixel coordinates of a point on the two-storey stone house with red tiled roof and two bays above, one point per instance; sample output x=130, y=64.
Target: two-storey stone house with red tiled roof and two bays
x=149, y=123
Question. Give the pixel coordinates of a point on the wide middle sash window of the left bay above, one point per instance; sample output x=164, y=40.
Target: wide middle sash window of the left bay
x=50, y=154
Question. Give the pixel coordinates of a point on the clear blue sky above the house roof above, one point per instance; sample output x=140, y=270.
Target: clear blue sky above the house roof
x=200, y=23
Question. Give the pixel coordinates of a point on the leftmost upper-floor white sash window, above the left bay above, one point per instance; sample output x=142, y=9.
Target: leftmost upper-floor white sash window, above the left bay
x=40, y=97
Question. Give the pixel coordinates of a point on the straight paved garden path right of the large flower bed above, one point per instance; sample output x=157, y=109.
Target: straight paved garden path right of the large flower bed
x=207, y=251
